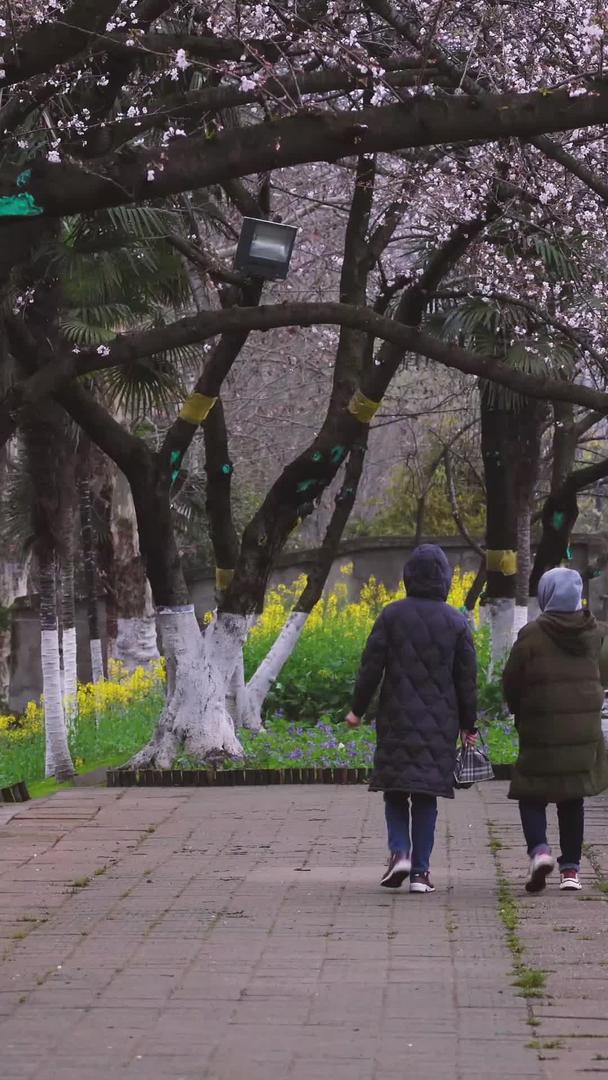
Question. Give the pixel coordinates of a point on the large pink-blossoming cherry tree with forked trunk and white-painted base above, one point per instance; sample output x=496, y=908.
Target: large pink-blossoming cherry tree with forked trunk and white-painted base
x=127, y=104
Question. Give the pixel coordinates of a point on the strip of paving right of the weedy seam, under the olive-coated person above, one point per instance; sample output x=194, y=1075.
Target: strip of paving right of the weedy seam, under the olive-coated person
x=566, y=937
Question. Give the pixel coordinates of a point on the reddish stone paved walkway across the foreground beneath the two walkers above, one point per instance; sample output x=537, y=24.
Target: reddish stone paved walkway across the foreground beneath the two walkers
x=240, y=935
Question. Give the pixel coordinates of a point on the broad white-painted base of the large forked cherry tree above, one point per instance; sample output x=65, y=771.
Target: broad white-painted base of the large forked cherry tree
x=196, y=719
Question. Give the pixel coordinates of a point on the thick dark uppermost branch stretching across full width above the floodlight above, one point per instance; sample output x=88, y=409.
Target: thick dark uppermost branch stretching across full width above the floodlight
x=194, y=163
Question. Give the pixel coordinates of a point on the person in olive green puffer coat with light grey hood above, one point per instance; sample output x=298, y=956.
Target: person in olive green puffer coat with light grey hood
x=553, y=687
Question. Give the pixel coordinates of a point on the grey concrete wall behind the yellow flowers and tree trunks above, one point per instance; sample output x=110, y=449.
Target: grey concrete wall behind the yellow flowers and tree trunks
x=382, y=558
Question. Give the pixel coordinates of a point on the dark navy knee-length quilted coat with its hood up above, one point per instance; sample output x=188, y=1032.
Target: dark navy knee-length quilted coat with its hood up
x=423, y=652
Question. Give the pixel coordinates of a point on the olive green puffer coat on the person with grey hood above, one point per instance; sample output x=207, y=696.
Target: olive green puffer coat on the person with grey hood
x=552, y=685
